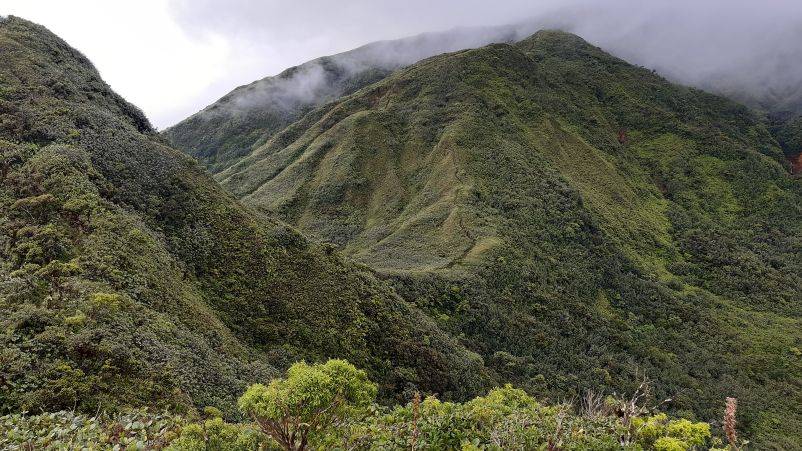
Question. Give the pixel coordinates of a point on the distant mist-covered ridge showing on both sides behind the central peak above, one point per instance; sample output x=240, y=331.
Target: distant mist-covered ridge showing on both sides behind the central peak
x=241, y=121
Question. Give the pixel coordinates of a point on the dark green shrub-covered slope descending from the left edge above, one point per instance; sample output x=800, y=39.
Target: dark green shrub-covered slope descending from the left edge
x=129, y=277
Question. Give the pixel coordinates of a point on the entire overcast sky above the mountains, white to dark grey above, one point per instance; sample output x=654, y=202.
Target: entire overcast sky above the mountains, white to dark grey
x=173, y=57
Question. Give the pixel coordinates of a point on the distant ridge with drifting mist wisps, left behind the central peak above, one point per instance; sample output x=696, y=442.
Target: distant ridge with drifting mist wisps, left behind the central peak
x=230, y=128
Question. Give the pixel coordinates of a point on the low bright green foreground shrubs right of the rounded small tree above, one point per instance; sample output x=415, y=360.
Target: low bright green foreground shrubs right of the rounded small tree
x=506, y=418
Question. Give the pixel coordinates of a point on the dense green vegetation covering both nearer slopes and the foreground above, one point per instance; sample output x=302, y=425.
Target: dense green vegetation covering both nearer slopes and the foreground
x=560, y=219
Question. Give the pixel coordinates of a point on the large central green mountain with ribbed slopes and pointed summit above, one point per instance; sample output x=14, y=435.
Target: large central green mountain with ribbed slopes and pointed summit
x=576, y=220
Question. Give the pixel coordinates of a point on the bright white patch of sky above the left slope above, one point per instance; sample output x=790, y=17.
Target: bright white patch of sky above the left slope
x=139, y=50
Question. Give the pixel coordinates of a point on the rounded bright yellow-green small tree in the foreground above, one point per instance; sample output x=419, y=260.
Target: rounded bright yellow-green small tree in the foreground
x=308, y=401
